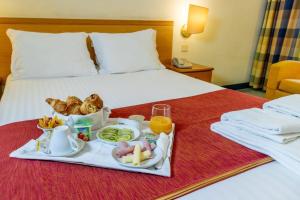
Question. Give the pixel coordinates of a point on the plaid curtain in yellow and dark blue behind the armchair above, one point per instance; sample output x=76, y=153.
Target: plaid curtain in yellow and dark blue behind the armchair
x=279, y=39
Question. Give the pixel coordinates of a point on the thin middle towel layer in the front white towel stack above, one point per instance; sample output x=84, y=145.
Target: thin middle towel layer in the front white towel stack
x=285, y=138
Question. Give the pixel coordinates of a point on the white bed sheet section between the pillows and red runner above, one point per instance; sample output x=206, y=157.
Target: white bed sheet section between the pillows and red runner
x=25, y=99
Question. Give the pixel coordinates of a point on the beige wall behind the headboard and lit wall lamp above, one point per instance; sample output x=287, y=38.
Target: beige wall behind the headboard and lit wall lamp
x=227, y=44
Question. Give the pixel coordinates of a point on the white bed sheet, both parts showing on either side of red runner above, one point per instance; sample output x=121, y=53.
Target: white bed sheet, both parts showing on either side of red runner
x=24, y=99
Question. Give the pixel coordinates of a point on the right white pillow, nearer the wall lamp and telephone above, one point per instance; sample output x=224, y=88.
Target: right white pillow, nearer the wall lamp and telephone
x=126, y=52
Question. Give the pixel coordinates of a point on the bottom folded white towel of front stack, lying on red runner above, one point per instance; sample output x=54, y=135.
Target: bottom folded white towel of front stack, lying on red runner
x=286, y=154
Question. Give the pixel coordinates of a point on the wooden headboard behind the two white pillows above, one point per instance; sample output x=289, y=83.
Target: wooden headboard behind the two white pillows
x=164, y=33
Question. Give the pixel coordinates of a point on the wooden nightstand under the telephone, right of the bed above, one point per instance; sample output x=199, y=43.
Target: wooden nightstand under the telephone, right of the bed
x=197, y=71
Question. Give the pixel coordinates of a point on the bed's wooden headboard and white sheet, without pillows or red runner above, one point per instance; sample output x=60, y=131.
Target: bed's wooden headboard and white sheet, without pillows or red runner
x=24, y=100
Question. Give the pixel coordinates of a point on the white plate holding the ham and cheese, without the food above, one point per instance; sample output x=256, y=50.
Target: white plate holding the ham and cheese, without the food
x=156, y=157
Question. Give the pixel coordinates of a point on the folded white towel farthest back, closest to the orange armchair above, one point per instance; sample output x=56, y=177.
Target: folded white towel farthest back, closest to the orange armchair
x=289, y=105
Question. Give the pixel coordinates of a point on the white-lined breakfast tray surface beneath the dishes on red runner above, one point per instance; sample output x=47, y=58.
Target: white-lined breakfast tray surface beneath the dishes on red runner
x=98, y=154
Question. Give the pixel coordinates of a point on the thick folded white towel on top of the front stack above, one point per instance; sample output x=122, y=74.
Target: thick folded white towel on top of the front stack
x=263, y=121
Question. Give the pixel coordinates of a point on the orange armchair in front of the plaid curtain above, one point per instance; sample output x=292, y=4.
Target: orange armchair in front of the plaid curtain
x=284, y=79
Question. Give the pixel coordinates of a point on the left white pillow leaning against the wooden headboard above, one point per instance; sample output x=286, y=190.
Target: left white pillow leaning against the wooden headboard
x=41, y=55
